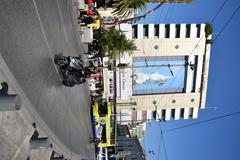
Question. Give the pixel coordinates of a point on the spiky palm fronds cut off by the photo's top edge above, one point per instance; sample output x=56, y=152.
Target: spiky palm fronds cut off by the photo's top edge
x=124, y=8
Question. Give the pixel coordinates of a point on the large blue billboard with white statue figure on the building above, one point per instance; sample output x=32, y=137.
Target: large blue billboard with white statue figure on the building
x=156, y=75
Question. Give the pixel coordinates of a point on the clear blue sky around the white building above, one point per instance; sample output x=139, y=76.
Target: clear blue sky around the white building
x=215, y=140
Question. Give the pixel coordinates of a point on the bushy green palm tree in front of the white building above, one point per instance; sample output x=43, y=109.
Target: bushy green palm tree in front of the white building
x=115, y=44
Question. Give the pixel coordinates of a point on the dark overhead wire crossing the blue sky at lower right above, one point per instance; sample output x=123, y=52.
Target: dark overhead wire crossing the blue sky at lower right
x=201, y=122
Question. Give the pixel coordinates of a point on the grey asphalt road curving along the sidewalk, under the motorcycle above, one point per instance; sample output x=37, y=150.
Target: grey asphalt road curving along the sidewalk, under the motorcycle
x=31, y=32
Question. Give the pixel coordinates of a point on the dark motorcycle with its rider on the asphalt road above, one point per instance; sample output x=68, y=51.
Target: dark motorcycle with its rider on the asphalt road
x=73, y=70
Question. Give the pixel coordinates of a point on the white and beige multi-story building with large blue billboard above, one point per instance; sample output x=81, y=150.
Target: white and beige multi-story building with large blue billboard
x=167, y=73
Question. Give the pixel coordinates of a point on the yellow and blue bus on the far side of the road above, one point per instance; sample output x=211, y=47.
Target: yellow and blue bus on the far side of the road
x=104, y=124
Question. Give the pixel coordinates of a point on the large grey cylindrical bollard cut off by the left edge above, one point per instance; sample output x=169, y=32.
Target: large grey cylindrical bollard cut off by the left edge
x=10, y=102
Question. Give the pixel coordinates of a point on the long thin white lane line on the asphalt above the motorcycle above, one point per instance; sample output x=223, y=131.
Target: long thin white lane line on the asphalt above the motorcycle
x=44, y=35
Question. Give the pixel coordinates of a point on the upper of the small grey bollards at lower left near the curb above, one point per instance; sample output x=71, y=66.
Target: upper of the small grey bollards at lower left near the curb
x=40, y=143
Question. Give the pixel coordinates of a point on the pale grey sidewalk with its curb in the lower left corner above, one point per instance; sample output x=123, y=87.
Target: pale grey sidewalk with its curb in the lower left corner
x=16, y=126
